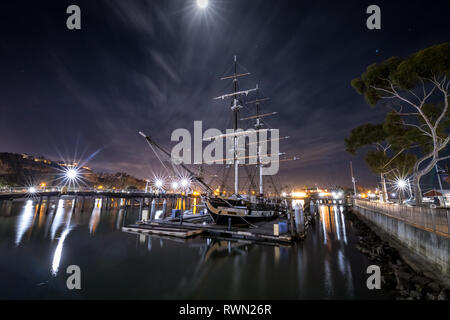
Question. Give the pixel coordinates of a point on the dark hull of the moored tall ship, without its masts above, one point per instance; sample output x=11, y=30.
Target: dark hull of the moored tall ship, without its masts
x=240, y=212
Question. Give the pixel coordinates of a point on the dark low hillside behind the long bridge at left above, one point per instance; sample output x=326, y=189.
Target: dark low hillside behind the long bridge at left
x=18, y=170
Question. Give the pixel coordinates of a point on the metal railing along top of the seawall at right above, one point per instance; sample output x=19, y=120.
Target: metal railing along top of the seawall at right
x=434, y=220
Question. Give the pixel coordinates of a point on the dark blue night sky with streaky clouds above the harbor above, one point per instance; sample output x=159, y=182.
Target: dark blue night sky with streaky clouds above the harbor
x=155, y=66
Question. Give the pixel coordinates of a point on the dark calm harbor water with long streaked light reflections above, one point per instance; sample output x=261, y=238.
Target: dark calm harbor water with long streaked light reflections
x=118, y=265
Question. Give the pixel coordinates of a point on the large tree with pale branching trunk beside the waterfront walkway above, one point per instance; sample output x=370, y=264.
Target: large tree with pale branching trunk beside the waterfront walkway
x=420, y=117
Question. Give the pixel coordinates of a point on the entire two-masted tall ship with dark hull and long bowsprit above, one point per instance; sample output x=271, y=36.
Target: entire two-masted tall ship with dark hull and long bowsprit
x=239, y=209
